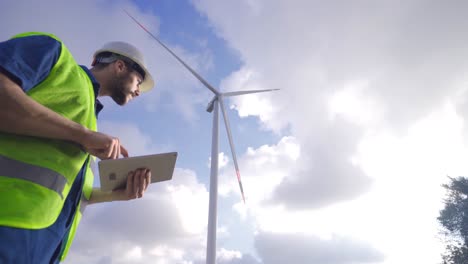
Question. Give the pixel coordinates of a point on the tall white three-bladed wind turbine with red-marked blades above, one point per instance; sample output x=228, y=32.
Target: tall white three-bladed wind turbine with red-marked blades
x=213, y=106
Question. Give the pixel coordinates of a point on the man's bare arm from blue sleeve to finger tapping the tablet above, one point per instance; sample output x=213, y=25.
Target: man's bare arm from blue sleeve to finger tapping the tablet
x=19, y=114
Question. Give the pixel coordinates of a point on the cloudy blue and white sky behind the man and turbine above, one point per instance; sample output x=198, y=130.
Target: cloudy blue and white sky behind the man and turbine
x=343, y=165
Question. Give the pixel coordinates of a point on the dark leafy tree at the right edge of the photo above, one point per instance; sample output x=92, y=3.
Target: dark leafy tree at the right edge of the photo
x=454, y=219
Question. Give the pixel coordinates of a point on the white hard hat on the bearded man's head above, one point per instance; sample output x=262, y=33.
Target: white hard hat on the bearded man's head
x=131, y=52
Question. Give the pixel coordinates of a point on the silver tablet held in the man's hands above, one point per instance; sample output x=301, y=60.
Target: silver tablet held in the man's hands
x=113, y=173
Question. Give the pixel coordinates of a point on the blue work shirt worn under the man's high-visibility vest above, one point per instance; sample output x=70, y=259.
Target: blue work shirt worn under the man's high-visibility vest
x=28, y=61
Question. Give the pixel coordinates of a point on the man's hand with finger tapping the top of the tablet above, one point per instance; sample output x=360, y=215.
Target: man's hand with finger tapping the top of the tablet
x=103, y=146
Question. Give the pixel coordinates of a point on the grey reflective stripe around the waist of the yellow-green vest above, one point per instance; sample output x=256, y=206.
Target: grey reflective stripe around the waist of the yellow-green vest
x=45, y=177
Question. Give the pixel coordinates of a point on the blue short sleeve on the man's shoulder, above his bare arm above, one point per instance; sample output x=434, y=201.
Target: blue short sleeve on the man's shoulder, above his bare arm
x=28, y=60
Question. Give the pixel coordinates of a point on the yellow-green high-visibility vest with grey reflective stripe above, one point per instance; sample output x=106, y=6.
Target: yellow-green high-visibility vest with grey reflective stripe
x=36, y=174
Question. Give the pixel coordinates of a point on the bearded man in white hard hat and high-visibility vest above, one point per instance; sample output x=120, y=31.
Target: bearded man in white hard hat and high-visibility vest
x=48, y=112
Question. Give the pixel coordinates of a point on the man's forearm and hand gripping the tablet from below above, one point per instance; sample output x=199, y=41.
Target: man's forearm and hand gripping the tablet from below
x=137, y=183
